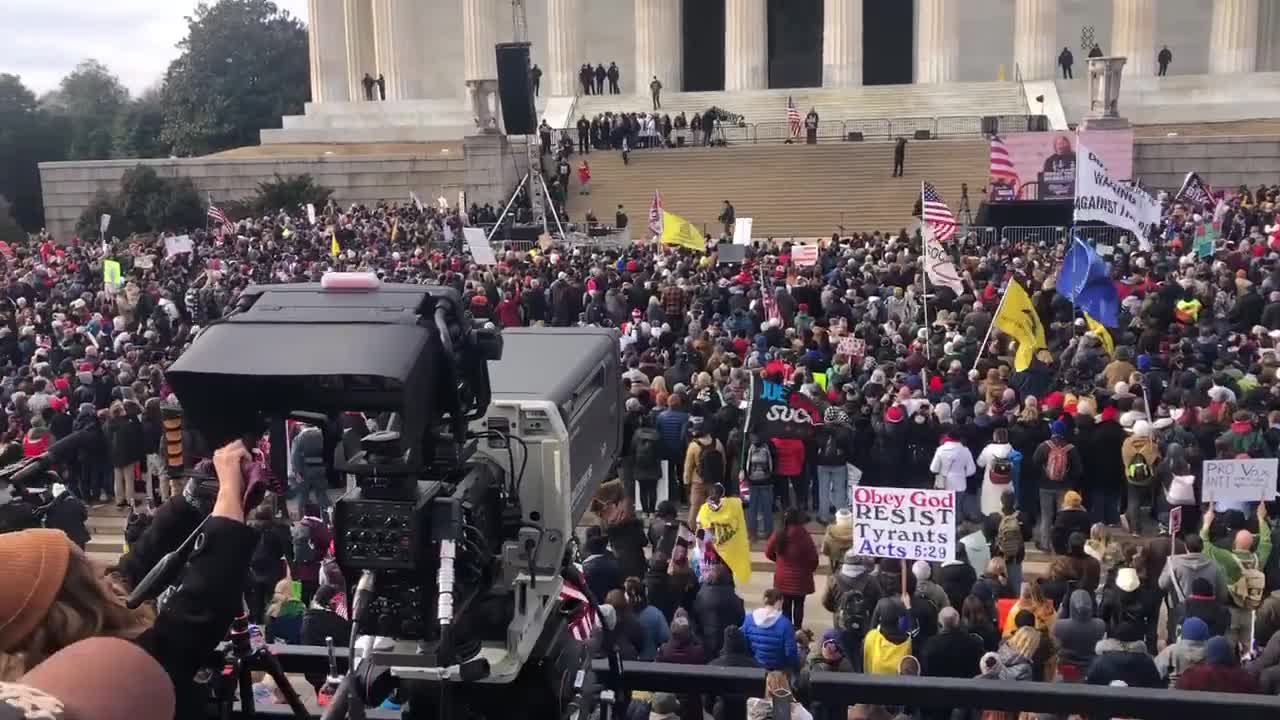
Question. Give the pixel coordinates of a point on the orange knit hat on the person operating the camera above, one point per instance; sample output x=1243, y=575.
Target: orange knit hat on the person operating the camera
x=36, y=563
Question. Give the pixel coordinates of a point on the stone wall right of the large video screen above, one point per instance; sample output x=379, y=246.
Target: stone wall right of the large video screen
x=1162, y=163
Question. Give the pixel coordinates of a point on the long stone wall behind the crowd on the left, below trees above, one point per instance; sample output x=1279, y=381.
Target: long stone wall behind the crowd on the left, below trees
x=70, y=186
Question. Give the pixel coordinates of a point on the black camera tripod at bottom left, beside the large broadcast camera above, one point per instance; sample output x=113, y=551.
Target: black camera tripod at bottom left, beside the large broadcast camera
x=234, y=676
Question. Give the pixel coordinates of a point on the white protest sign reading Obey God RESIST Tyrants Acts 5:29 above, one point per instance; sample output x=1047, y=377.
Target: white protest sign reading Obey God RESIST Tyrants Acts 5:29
x=904, y=525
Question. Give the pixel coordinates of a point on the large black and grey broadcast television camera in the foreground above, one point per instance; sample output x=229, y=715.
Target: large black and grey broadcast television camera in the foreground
x=458, y=534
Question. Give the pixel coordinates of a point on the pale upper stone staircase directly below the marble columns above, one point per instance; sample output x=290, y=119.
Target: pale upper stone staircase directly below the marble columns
x=881, y=102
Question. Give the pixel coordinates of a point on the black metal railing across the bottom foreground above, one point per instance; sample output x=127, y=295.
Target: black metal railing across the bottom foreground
x=854, y=689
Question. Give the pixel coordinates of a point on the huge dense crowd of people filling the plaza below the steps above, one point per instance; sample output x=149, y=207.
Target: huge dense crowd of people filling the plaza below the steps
x=1085, y=455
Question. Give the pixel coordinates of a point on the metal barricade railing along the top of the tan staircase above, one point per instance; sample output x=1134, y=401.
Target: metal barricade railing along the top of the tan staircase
x=871, y=129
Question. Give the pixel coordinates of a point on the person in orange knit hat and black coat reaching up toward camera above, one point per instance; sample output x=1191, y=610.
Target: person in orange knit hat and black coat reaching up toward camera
x=52, y=595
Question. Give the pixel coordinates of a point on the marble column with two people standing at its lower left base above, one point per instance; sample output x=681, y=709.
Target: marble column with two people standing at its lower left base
x=400, y=29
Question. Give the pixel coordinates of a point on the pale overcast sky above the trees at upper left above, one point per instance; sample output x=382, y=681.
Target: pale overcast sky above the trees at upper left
x=45, y=39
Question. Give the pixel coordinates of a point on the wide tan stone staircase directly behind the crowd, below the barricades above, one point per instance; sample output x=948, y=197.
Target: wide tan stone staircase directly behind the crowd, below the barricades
x=789, y=190
